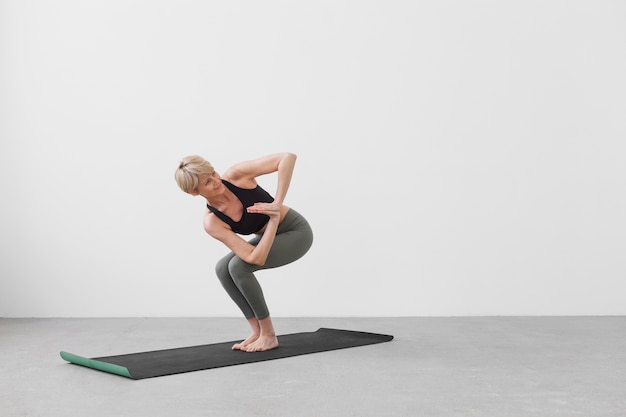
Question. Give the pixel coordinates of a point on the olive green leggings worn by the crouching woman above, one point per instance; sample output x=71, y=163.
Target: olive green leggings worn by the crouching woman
x=293, y=239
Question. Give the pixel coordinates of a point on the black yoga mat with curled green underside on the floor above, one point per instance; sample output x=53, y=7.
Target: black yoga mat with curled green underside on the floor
x=195, y=358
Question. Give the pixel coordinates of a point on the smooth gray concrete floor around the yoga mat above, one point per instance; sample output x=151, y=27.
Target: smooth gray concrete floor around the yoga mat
x=477, y=366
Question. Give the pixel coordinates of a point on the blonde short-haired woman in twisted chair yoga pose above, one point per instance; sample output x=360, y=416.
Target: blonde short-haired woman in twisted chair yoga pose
x=237, y=205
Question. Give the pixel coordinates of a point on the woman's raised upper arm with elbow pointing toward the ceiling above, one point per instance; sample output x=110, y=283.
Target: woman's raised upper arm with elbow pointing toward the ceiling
x=244, y=173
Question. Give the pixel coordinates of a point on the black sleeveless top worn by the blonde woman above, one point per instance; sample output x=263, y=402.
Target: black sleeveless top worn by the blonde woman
x=250, y=222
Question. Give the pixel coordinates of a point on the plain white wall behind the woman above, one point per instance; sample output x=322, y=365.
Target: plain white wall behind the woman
x=455, y=157
